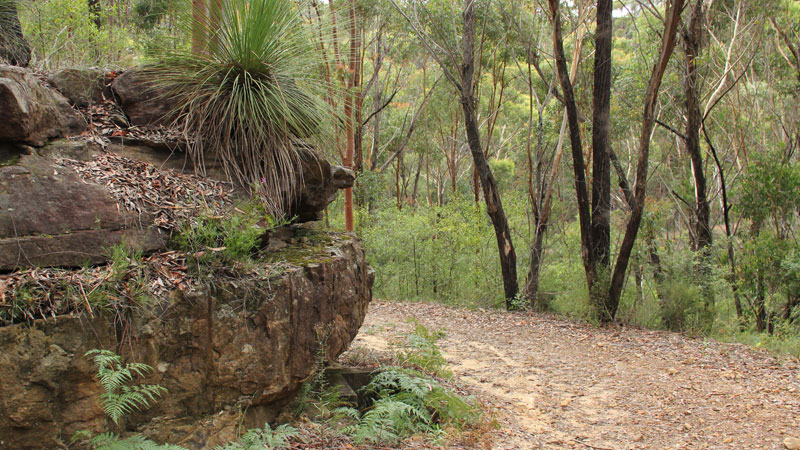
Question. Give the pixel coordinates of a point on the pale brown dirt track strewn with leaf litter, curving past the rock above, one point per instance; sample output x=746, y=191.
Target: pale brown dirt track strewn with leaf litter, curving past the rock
x=553, y=384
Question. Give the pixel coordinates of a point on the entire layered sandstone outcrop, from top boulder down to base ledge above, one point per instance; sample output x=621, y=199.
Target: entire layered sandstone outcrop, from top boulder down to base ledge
x=230, y=347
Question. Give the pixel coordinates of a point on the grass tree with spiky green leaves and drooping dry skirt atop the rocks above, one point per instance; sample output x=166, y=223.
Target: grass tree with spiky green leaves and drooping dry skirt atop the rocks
x=250, y=96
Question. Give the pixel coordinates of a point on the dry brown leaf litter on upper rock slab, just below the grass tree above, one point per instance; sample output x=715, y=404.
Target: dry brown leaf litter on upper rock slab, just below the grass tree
x=144, y=189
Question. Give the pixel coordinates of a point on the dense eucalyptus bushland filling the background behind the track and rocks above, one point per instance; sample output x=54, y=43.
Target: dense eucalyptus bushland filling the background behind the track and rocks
x=717, y=249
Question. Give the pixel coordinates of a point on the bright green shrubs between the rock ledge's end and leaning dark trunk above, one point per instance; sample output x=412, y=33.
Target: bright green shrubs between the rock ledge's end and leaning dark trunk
x=440, y=253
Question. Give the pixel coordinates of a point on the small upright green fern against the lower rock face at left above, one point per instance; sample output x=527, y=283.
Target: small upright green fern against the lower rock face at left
x=120, y=396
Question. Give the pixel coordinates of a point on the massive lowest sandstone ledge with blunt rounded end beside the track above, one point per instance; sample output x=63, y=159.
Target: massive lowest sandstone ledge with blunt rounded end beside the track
x=246, y=344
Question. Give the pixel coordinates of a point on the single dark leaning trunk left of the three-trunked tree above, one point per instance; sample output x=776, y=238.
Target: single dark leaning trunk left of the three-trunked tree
x=494, y=206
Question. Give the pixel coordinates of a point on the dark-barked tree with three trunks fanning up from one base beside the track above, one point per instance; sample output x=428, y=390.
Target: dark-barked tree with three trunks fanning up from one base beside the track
x=593, y=227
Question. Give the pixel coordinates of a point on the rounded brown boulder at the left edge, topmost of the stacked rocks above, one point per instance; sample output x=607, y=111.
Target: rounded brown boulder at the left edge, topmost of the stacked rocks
x=30, y=112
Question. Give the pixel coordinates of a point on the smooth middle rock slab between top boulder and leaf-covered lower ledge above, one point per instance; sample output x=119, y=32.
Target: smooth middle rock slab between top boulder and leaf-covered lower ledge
x=49, y=216
